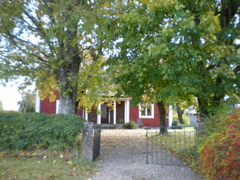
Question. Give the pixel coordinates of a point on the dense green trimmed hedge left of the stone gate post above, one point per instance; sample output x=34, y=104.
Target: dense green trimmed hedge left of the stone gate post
x=32, y=130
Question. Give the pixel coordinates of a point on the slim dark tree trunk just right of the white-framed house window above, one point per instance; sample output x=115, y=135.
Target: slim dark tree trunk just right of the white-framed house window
x=162, y=117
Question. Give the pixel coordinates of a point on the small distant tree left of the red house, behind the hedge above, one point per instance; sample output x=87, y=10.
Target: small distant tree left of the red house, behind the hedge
x=27, y=104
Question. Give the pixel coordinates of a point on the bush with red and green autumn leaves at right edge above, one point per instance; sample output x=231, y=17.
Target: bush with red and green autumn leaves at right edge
x=220, y=154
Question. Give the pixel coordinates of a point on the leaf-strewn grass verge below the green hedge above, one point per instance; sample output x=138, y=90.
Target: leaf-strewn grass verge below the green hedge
x=45, y=165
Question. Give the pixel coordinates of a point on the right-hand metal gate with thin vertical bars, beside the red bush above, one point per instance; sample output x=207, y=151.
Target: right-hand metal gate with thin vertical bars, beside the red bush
x=164, y=148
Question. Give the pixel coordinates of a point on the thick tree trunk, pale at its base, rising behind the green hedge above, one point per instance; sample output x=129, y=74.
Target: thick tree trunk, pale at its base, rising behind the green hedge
x=67, y=74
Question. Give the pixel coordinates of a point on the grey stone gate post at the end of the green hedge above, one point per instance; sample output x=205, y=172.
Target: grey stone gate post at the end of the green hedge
x=87, y=143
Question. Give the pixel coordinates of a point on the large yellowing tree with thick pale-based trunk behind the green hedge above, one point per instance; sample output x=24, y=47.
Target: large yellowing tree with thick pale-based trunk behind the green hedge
x=58, y=44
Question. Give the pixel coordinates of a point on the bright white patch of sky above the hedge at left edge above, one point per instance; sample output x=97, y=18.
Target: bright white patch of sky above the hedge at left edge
x=9, y=95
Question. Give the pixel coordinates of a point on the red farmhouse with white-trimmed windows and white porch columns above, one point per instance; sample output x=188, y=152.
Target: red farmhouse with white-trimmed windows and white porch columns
x=121, y=113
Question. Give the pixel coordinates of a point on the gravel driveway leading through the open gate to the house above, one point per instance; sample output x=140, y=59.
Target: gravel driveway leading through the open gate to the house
x=123, y=157
